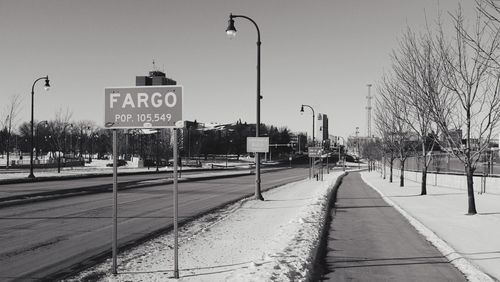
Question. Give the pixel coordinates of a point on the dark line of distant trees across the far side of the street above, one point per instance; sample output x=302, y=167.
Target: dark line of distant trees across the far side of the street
x=64, y=137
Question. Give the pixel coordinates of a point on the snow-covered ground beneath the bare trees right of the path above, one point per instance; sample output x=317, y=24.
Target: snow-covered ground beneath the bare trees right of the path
x=472, y=243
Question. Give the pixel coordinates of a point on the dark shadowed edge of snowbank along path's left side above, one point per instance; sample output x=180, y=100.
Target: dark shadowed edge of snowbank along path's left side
x=320, y=249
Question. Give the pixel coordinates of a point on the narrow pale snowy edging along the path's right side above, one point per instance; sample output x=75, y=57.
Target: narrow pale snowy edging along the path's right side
x=470, y=271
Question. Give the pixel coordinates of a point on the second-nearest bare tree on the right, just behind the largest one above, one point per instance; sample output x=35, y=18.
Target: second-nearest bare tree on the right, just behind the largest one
x=418, y=69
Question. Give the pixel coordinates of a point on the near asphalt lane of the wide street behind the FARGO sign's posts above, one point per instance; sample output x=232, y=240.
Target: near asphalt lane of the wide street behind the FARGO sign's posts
x=40, y=239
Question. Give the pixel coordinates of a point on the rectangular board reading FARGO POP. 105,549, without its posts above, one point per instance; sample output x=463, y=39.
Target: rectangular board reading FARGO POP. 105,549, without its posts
x=158, y=106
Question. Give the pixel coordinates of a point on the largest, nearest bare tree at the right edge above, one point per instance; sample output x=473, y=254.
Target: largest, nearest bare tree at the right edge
x=471, y=102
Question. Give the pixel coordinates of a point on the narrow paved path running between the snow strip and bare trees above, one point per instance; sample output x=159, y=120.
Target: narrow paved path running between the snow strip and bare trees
x=370, y=241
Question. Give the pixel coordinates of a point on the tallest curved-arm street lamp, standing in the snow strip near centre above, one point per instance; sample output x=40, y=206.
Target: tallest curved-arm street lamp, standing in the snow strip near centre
x=231, y=32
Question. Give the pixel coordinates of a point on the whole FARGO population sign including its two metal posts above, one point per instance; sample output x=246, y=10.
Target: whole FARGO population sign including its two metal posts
x=143, y=107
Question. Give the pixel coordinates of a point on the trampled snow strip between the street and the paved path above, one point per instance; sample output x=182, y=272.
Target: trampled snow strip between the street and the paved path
x=271, y=240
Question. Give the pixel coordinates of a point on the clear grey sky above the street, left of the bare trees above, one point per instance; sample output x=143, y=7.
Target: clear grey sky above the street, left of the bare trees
x=316, y=52
